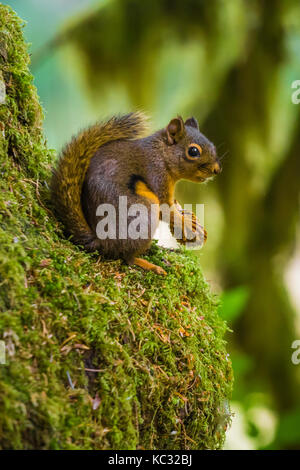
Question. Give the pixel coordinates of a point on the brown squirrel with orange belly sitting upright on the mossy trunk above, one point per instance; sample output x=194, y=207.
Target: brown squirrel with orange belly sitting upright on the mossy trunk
x=112, y=159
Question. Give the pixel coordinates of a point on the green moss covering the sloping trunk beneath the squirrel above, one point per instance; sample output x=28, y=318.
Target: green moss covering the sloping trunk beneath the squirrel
x=160, y=374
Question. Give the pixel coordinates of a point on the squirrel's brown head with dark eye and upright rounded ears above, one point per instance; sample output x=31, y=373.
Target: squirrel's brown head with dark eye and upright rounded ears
x=189, y=154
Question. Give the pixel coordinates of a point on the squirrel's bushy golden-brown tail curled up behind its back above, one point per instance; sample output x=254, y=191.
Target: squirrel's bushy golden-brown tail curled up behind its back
x=69, y=174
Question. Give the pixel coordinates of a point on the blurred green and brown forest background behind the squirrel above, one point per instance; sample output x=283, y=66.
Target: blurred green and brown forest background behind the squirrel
x=231, y=64
